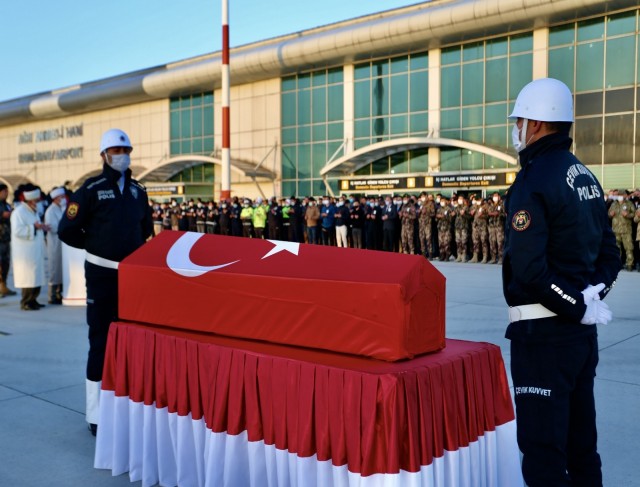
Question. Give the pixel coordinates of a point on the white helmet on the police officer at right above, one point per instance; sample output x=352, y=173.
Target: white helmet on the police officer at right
x=544, y=100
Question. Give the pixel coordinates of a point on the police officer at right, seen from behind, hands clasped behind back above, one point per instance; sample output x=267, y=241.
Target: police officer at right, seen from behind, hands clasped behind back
x=560, y=261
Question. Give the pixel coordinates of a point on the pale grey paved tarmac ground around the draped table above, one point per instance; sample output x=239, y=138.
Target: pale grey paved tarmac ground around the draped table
x=44, y=439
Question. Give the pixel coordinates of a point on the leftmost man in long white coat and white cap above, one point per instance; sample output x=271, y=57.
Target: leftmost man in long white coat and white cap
x=27, y=249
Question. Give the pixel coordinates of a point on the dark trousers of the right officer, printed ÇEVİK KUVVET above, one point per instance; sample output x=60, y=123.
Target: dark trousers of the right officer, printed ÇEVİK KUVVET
x=555, y=409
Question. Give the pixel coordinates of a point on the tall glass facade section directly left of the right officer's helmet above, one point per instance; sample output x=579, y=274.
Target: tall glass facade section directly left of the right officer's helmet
x=479, y=83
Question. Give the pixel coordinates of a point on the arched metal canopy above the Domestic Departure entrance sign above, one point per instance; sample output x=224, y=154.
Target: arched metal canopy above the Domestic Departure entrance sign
x=358, y=159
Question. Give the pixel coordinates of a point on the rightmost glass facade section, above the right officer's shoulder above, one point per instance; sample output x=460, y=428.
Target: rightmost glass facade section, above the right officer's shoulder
x=598, y=60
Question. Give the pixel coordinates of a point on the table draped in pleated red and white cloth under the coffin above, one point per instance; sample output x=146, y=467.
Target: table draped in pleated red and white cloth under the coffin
x=185, y=408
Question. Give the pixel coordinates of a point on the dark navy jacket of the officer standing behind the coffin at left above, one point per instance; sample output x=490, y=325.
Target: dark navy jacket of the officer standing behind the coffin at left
x=104, y=221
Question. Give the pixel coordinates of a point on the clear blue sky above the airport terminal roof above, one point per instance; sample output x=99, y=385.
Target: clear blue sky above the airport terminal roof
x=47, y=45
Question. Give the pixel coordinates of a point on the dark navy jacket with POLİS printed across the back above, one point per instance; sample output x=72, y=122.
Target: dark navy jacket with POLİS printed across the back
x=557, y=234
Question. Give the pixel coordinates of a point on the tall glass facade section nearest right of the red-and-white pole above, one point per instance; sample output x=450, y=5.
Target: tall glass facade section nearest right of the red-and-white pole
x=312, y=107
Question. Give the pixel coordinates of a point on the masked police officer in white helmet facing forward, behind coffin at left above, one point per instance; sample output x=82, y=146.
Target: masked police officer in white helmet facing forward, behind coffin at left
x=109, y=217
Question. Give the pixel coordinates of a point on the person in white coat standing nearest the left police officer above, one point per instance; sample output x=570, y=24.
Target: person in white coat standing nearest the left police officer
x=52, y=217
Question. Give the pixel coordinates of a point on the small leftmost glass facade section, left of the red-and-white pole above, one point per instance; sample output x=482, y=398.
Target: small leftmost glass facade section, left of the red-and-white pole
x=191, y=124
